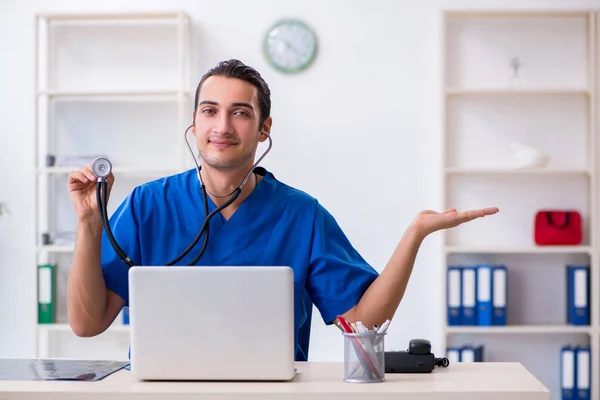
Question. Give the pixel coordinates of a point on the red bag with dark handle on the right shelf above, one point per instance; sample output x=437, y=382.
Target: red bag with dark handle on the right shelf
x=557, y=227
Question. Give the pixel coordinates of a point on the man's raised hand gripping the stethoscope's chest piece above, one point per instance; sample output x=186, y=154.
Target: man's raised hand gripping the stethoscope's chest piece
x=82, y=190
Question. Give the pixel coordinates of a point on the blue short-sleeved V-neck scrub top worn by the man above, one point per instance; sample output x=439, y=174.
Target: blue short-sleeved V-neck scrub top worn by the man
x=275, y=225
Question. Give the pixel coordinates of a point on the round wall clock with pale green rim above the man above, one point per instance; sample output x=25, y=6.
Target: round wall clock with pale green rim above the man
x=290, y=46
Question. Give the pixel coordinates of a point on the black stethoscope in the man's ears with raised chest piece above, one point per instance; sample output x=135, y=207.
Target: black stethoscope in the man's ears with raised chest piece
x=102, y=167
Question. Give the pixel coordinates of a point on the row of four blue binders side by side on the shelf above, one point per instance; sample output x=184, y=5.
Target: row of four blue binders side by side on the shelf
x=476, y=295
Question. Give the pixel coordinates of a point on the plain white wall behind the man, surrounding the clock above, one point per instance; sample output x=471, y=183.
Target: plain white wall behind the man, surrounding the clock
x=360, y=131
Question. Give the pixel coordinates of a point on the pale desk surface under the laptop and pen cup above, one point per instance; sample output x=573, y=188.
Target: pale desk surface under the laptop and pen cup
x=314, y=381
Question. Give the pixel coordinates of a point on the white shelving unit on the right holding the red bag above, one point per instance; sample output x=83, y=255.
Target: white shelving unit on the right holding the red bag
x=551, y=107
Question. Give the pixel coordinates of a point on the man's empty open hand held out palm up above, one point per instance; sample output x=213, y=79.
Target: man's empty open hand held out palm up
x=429, y=221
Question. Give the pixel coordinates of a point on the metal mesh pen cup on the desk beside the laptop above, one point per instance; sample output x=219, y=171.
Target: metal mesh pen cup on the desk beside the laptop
x=364, y=357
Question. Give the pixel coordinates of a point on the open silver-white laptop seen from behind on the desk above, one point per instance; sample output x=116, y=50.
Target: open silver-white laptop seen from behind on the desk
x=212, y=323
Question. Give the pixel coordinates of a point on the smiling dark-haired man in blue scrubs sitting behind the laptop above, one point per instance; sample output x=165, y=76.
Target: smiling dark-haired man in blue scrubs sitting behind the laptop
x=270, y=223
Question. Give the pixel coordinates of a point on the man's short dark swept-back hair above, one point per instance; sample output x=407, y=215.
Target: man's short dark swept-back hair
x=236, y=69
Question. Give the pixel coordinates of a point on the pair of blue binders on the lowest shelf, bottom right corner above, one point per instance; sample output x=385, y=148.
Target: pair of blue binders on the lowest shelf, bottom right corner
x=575, y=369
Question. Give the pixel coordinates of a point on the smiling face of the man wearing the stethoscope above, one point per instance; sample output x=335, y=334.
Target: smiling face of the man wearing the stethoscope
x=227, y=122
